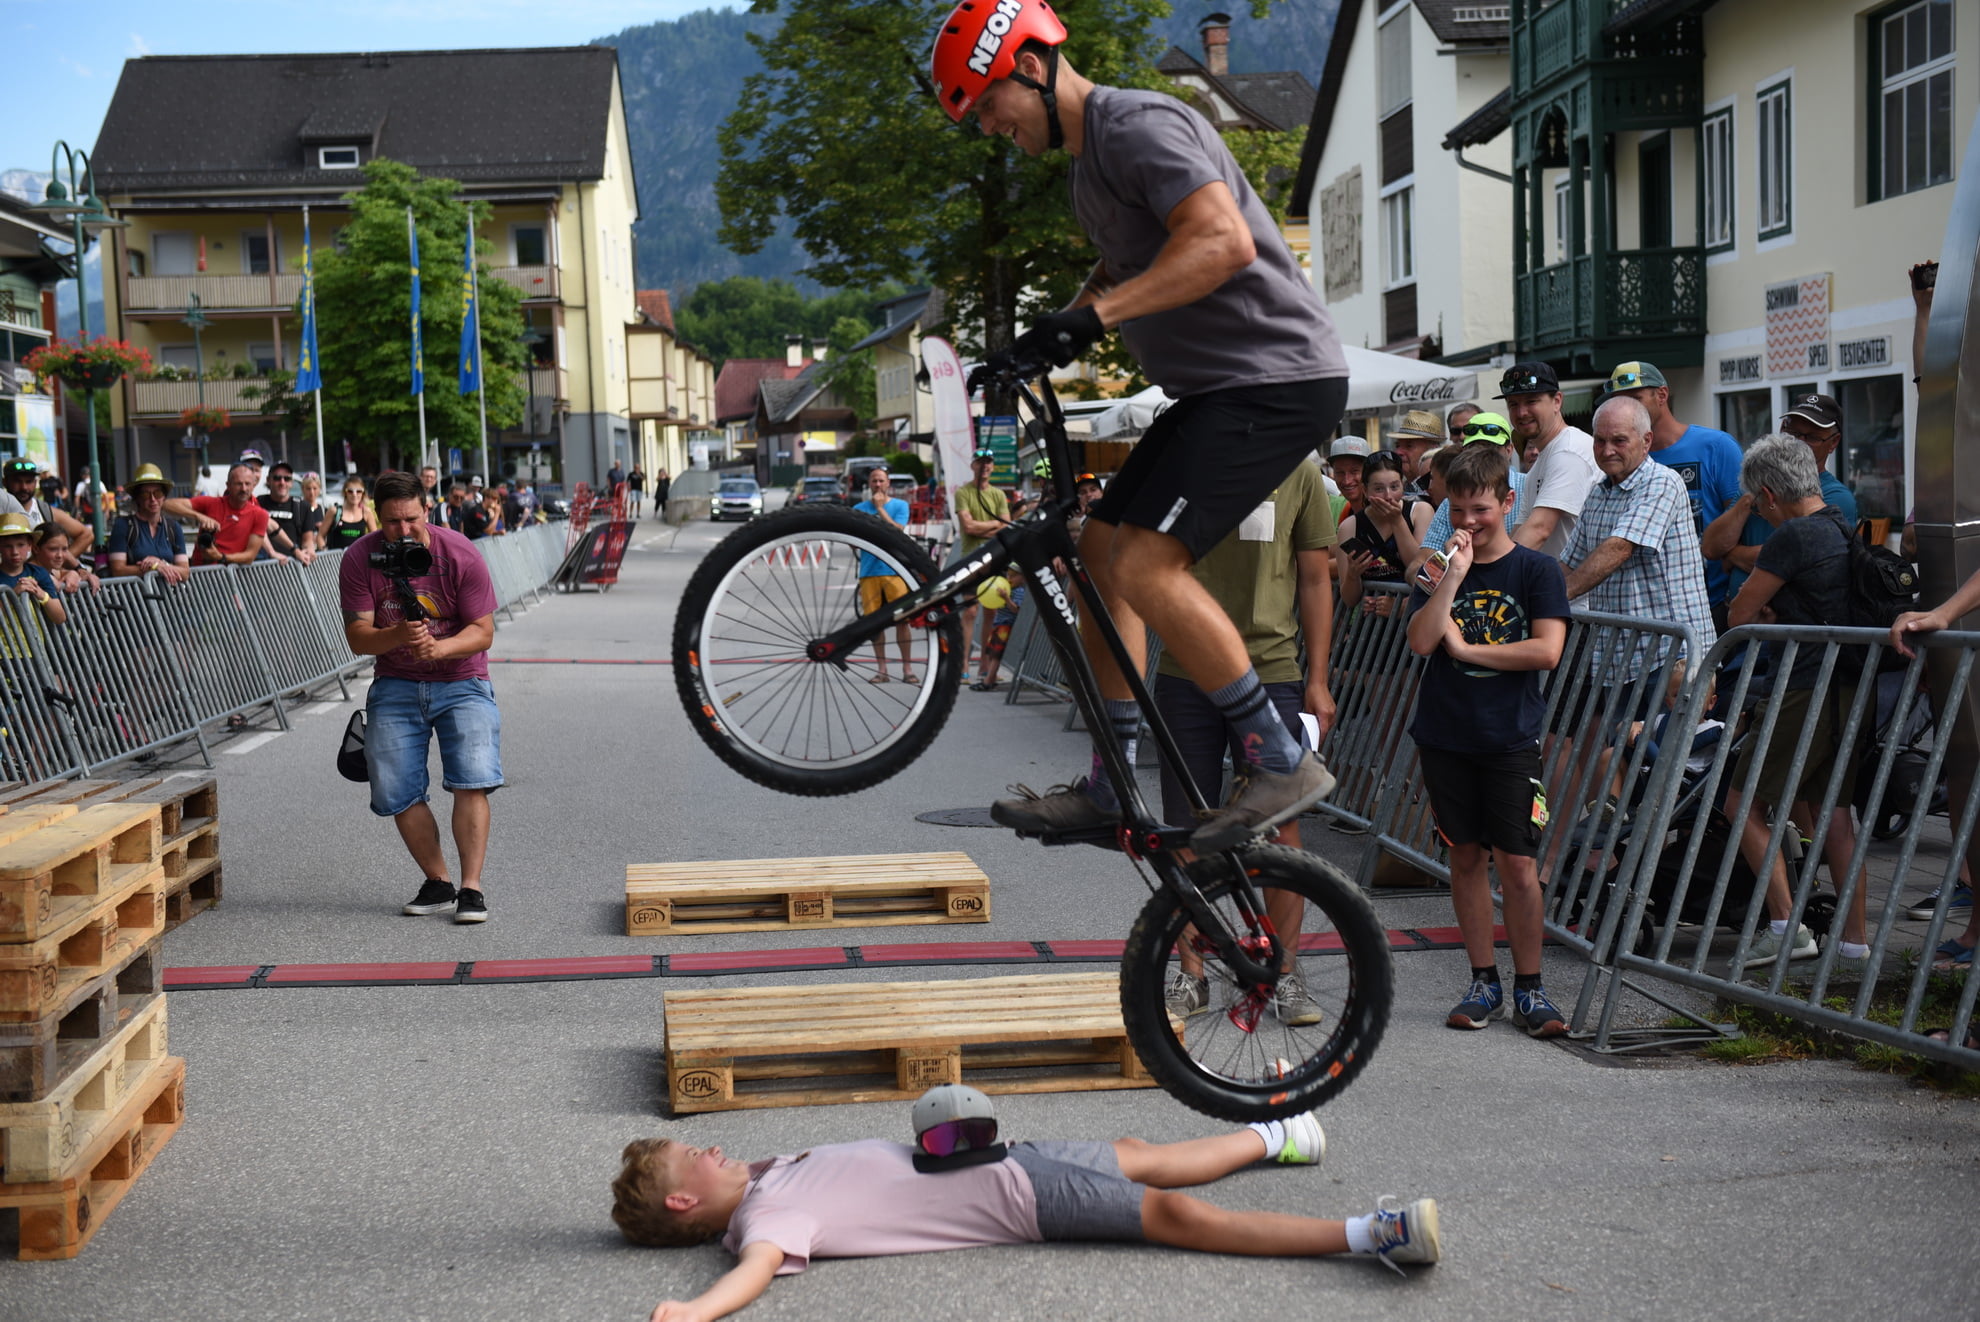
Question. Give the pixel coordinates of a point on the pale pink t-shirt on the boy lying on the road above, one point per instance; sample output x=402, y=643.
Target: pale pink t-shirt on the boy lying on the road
x=868, y=1200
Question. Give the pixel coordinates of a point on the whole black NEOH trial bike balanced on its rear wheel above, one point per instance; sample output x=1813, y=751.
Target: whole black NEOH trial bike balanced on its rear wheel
x=775, y=666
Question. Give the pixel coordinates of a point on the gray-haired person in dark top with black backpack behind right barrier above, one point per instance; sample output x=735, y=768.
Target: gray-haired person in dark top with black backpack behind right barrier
x=1803, y=577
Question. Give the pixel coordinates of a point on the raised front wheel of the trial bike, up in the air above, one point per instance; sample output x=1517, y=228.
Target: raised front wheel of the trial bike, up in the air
x=753, y=694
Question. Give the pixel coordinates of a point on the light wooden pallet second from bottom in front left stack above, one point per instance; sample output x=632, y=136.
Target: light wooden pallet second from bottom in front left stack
x=45, y=1139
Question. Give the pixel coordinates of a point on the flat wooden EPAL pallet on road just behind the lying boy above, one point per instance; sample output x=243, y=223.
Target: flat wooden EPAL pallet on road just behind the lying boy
x=886, y=1042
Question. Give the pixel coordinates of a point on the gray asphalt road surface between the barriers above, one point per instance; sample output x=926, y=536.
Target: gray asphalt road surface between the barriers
x=445, y=1153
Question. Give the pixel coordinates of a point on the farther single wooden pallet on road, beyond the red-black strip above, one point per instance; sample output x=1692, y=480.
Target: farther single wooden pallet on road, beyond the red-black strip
x=759, y=896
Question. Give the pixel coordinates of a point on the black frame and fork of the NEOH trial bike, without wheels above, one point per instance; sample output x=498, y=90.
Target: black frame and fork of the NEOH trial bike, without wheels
x=1035, y=545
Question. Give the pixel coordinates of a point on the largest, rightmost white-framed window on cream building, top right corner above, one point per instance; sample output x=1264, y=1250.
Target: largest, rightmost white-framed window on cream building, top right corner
x=1914, y=82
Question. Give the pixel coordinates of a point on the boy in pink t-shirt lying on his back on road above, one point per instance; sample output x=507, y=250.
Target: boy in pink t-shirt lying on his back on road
x=870, y=1200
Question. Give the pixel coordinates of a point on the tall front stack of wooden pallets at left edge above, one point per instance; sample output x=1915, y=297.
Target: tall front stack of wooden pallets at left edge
x=88, y=1091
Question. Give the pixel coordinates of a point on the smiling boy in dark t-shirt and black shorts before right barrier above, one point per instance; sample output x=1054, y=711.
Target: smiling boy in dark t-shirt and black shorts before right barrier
x=1492, y=624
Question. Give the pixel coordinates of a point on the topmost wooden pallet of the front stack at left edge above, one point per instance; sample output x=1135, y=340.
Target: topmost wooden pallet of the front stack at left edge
x=64, y=868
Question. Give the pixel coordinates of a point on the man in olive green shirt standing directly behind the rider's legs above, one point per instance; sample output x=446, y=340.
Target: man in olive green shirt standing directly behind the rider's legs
x=1274, y=579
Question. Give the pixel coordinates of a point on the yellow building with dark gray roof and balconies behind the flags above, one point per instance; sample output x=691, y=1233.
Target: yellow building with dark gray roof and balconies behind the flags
x=213, y=159
